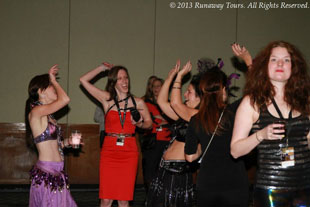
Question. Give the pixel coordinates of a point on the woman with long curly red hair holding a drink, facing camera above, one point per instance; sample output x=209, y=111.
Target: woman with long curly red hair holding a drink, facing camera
x=274, y=117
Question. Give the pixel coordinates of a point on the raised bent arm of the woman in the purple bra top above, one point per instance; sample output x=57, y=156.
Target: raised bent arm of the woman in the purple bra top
x=61, y=101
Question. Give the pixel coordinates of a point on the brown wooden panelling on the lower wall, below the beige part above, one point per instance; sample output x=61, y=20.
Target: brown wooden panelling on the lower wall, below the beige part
x=82, y=164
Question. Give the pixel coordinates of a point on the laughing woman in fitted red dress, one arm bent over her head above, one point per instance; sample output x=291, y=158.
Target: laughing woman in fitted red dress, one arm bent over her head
x=119, y=153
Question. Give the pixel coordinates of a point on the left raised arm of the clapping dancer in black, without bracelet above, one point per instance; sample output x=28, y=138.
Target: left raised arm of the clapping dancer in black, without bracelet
x=163, y=96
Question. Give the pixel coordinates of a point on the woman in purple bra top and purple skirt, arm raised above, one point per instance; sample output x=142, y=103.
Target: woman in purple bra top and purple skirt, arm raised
x=49, y=183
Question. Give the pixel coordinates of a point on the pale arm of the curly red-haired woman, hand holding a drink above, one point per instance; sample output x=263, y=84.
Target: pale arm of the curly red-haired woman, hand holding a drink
x=241, y=143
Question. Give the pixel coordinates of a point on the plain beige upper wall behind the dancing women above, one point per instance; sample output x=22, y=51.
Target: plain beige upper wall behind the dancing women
x=146, y=36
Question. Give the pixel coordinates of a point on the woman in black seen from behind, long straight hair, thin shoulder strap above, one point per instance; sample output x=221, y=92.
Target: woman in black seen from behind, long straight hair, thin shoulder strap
x=222, y=180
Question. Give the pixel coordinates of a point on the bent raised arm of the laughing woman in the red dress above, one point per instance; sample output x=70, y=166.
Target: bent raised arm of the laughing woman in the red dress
x=97, y=93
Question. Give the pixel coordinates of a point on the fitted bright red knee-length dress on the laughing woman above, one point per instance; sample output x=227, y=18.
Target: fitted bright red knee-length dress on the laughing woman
x=118, y=164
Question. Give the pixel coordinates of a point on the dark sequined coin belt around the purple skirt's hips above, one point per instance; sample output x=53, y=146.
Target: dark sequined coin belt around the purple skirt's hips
x=51, y=181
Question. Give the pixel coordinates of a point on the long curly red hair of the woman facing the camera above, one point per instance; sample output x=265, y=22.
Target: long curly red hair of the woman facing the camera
x=297, y=89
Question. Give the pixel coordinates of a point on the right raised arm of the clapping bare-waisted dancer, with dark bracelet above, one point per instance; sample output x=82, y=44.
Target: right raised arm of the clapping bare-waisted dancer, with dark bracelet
x=176, y=98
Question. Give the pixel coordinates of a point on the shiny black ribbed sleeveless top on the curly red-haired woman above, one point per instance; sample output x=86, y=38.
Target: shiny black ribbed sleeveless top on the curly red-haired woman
x=270, y=173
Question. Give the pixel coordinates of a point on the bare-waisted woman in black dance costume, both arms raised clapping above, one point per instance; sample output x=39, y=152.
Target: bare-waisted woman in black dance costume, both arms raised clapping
x=173, y=184
